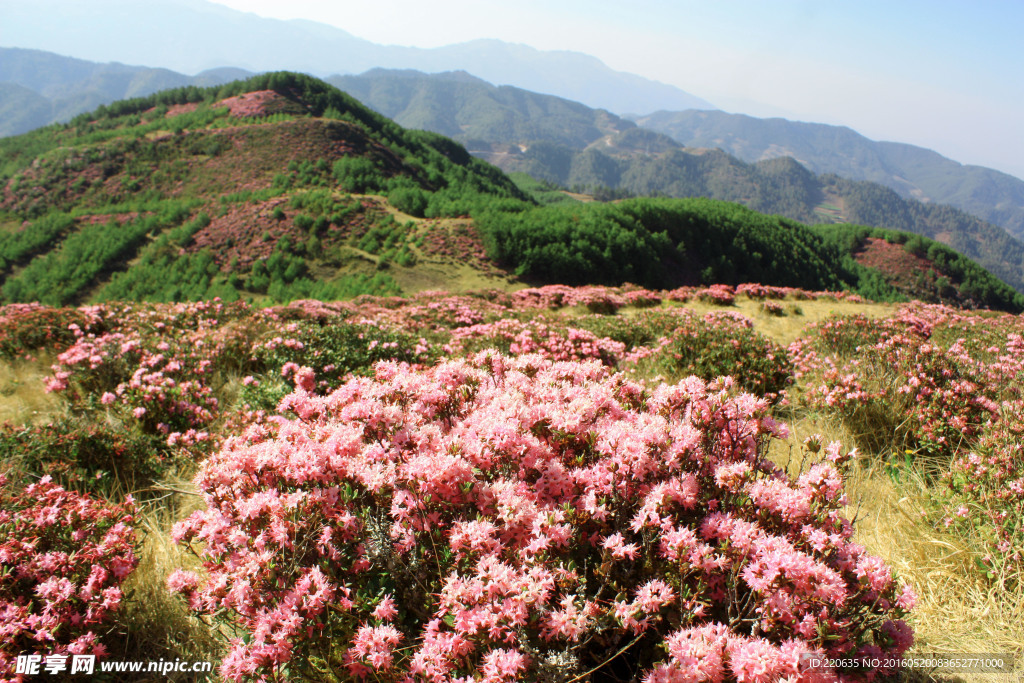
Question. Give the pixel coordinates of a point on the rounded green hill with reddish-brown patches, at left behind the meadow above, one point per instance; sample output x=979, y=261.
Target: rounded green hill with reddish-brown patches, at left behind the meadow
x=266, y=188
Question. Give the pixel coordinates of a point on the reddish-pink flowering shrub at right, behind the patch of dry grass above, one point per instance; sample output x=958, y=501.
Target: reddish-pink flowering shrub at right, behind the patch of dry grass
x=894, y=388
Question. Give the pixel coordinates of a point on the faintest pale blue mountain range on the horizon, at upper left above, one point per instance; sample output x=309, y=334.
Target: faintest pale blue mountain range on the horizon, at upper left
x=154, y=32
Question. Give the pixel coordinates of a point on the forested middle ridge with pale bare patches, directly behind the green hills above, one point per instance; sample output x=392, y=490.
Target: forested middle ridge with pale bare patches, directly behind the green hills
x=592, y=151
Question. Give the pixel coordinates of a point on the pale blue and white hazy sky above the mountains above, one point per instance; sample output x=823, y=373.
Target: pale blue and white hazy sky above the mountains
x=943, y=74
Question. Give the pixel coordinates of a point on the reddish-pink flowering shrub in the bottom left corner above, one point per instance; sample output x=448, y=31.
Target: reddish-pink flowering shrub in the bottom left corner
x=63, y=560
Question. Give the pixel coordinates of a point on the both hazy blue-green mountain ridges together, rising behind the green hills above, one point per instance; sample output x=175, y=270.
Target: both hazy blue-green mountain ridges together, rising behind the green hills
x=576, y=146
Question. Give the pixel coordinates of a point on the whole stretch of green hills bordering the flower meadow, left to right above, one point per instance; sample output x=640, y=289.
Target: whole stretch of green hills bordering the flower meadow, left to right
x=282, y=187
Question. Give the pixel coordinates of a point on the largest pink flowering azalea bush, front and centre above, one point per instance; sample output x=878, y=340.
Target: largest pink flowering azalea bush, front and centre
x=500, y=520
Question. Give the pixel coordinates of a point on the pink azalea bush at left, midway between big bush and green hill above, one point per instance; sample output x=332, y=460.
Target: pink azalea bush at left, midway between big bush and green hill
x=158, y=369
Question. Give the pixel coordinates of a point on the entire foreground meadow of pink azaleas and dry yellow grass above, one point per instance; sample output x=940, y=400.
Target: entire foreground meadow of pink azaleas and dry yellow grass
x=559, y=484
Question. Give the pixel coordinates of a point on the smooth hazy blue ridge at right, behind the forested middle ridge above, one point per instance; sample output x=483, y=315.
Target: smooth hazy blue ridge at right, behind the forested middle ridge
x=914, y=173
